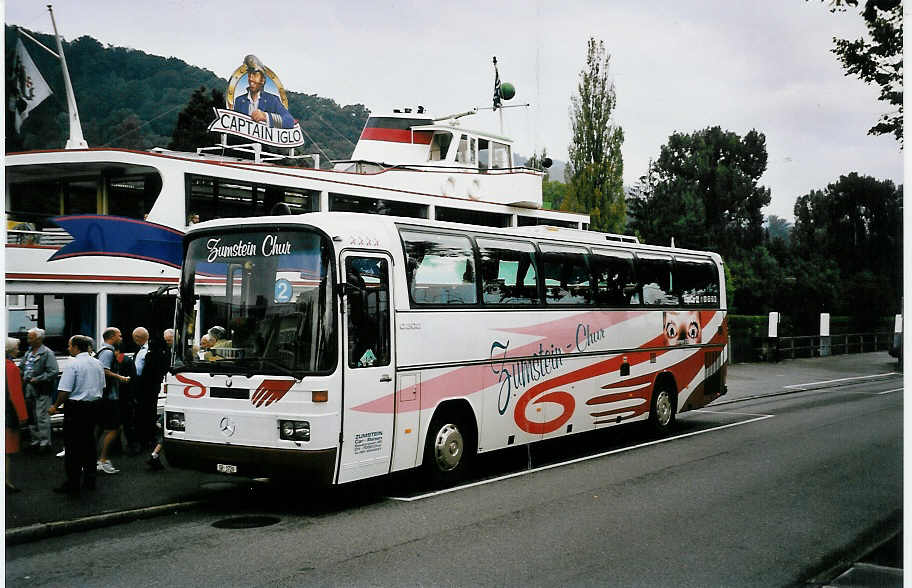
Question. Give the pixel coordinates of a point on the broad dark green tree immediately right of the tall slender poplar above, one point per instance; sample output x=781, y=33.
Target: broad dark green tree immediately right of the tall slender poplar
x=703, y=191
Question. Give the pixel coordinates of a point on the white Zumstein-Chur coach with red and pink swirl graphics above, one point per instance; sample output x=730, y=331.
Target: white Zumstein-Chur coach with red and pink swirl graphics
x=354, y=345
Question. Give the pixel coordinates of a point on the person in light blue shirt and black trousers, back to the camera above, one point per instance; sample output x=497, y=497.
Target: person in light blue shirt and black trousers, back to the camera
x=80, y=390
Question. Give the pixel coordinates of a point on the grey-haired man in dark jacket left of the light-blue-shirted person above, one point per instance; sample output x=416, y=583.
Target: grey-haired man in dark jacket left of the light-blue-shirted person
x=39, y=381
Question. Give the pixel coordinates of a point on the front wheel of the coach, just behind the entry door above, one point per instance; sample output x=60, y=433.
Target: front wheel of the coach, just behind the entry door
x=449, y=449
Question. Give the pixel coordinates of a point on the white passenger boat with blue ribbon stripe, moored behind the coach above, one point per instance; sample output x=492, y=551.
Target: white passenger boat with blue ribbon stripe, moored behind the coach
x=93, y=234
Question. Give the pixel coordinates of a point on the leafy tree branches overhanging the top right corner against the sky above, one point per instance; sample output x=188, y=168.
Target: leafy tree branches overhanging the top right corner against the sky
x=878, y=60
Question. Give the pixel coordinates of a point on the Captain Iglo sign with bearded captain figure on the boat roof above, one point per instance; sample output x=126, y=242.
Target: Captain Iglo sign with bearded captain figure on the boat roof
x=261, y=112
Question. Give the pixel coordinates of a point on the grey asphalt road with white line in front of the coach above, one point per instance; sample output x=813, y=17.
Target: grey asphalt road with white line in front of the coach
x=767, y=491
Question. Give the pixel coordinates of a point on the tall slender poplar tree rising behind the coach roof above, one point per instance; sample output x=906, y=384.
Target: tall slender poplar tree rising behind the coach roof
x=596, y=167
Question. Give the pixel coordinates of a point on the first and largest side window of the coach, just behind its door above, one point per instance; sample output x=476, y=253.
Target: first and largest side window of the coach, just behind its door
x=440, y=268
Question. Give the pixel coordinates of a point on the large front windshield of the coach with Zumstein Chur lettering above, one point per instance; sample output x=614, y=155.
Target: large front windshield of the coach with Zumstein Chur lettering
x=258, y=302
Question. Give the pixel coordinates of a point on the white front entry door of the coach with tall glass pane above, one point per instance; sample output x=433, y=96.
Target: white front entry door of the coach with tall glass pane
x=369, y=367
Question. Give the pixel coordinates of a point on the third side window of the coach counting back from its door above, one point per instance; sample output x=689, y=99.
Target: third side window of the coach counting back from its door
x=566, y=275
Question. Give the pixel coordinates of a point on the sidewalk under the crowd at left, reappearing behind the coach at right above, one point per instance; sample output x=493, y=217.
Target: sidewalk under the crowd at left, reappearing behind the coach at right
x=135, y=492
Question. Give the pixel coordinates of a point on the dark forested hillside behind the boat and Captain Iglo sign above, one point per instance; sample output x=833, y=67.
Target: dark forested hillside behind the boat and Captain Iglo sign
x=128, y=98
